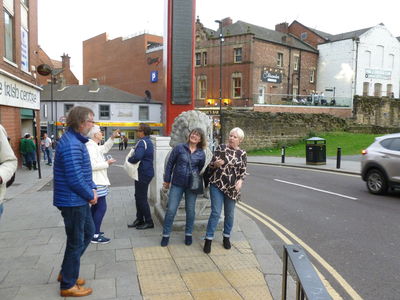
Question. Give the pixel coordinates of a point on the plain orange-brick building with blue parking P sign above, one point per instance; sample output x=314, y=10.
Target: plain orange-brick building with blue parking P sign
x=133, y=64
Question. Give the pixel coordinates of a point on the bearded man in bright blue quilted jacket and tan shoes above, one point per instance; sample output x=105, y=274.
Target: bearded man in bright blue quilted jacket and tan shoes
x=74, y=191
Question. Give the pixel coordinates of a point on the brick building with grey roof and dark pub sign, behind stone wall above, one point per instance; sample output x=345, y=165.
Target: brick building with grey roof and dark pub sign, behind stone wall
x=259, y=66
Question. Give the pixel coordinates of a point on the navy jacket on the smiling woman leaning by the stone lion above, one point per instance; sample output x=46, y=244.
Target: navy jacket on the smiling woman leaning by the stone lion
x=178, y=164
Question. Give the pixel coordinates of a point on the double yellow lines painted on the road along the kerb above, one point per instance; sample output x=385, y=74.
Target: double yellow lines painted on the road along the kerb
x=283, y=233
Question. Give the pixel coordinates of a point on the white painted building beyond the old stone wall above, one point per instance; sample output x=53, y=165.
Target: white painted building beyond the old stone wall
x=363, y=62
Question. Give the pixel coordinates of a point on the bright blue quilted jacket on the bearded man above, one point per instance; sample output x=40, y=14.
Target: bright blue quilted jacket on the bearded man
x=73, y=184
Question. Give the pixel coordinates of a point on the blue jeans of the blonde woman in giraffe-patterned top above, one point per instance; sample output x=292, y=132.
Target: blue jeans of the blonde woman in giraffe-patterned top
x=217, y=199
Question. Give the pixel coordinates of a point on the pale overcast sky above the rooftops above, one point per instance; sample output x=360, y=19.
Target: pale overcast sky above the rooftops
x=65, y=24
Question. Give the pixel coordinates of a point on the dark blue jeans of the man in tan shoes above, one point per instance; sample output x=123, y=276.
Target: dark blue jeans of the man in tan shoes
x=79, y=228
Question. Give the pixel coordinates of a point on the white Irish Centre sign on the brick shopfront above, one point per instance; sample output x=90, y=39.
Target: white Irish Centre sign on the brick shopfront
x=17, y=94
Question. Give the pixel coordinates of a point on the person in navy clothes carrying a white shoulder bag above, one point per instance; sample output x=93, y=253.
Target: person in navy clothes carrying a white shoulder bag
x=144, y=153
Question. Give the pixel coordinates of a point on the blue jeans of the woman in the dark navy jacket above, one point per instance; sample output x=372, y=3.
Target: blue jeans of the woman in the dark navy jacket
x=174, y=198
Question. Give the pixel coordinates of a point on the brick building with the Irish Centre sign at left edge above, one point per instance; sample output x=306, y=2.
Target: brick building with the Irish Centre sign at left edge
x=19, y=92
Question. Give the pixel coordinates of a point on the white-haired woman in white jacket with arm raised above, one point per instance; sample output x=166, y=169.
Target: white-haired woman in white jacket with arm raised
x=100, y=178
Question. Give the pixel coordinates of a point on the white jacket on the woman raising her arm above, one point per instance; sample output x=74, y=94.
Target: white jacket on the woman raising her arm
x=99, y=163
